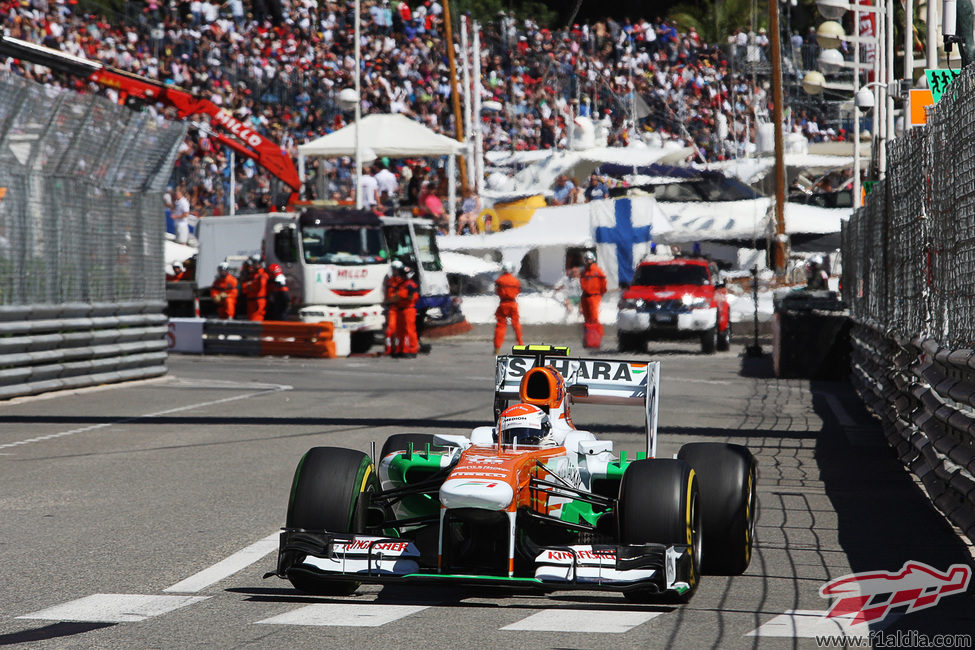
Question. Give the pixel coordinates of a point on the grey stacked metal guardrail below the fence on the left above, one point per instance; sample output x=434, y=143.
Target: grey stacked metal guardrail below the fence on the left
x=74, y=345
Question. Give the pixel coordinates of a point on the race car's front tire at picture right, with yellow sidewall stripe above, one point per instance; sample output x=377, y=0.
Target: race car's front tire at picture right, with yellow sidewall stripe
x=659, y=503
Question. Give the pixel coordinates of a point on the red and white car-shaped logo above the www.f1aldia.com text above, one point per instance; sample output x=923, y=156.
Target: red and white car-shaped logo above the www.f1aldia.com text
x=870, y=596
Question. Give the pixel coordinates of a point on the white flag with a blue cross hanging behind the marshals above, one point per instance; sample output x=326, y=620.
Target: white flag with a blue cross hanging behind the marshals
x=623, y=230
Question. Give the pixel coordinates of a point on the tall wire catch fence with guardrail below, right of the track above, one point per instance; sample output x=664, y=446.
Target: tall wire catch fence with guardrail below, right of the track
x=909, y=278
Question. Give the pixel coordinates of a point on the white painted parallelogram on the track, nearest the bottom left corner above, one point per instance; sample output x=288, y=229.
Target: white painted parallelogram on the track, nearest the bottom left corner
x=113, y=608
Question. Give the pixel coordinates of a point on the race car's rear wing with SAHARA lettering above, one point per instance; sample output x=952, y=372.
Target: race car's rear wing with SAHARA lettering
x=599, y=381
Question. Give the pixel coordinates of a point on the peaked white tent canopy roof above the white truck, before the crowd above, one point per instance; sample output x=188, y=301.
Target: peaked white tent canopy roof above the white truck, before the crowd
x=395, y=135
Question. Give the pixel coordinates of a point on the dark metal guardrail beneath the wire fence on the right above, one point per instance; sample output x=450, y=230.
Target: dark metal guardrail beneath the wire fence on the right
x=924, y=395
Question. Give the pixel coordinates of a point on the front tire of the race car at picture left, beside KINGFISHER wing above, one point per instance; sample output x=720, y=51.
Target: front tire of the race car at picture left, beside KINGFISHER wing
x=331, y=491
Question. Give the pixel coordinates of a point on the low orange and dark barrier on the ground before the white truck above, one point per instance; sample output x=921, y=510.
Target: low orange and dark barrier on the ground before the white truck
x=269, y=338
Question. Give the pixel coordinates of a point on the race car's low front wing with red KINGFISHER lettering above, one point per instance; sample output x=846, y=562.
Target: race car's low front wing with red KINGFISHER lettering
x=655, y=568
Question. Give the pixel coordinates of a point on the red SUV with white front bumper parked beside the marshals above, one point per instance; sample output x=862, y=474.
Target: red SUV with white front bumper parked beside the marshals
x=678, y=298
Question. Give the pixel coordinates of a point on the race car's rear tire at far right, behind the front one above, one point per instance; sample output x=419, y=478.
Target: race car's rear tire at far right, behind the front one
x=726, y=474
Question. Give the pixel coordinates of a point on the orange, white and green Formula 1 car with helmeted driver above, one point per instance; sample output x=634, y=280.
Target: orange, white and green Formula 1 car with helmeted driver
x=529, y=503
